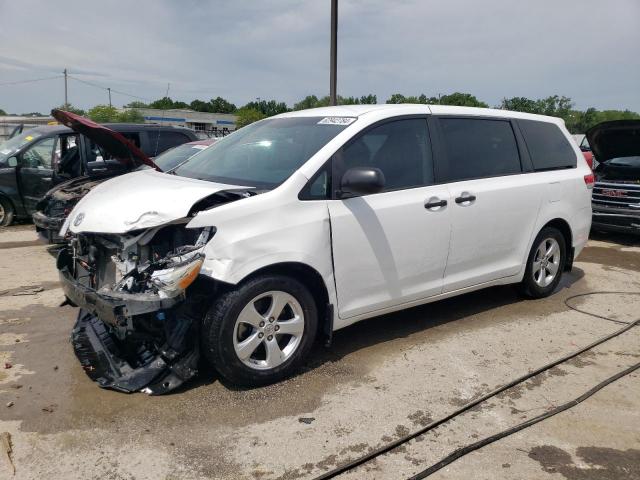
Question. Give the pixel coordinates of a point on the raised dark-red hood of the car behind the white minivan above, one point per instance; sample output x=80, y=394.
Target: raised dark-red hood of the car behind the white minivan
x=113, y=142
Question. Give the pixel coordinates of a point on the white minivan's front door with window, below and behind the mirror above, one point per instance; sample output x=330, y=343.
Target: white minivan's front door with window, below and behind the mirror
x=391, y=247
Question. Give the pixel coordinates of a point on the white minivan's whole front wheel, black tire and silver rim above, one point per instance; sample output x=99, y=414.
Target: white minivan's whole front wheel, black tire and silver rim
x=239, y=335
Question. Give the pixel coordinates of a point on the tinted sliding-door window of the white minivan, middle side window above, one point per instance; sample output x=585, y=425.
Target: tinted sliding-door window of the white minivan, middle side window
x=478, y=148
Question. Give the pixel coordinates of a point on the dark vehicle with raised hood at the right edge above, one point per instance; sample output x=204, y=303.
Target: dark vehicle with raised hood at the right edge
x=616, y=192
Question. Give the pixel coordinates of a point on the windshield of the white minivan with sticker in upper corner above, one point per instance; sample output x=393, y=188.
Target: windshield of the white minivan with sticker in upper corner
x=264, y=154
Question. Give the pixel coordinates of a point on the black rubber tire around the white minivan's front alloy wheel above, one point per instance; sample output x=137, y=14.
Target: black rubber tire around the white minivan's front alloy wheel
x=219, y=329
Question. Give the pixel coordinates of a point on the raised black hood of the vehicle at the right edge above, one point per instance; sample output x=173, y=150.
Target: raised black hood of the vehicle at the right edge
x=615, y=139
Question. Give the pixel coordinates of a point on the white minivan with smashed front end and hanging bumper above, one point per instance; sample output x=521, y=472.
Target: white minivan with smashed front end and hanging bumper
x=304, y=223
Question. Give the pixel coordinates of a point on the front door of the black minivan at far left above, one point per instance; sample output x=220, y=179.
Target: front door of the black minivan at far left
x=35, y=172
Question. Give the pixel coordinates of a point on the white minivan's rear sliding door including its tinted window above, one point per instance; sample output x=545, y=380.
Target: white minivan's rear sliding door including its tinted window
x=494, y=202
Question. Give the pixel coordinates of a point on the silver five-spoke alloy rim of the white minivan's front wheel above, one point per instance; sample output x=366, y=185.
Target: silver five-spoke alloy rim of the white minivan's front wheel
x=268, y=330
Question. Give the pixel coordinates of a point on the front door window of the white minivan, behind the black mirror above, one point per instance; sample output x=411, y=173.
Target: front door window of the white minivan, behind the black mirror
x=400, y=149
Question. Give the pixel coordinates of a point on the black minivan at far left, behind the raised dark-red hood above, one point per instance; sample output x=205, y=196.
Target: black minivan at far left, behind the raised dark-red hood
x=34, y=161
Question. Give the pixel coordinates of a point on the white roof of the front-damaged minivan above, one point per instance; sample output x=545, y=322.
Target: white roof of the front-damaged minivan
x=409, y=108
